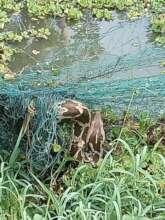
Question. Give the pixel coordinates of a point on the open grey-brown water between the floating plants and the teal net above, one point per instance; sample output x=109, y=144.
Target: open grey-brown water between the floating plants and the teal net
x=83, y=42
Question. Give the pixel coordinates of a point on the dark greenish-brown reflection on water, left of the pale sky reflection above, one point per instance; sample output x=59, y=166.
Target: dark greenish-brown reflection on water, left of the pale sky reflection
x=67, y=44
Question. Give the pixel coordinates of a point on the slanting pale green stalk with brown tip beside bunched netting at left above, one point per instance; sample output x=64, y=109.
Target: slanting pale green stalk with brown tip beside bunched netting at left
x=28, y=117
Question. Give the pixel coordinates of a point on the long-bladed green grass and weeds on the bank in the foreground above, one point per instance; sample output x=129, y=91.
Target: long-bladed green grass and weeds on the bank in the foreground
x=128, y=185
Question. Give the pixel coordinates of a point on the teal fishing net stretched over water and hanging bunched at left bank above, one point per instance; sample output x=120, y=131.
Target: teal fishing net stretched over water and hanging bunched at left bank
x=127, y=75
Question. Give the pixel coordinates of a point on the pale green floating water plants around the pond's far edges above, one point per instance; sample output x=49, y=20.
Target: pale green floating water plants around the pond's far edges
x=74, y=10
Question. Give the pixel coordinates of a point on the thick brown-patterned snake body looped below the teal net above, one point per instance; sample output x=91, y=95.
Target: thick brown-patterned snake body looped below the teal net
x=88, y=132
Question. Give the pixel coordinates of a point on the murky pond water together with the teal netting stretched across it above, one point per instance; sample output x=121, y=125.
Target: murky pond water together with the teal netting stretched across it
x=99, y=63
